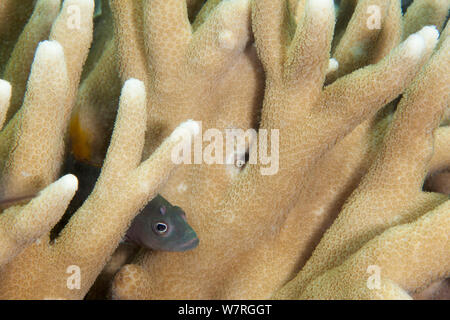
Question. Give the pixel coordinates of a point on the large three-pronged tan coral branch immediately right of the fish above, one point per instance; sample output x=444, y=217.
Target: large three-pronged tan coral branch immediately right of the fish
x=232, y=219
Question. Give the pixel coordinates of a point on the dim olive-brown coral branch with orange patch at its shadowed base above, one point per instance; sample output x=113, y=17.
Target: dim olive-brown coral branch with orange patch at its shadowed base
x=96, y=106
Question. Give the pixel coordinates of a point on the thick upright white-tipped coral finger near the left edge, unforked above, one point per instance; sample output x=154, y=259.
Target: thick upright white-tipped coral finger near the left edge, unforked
x=31, y=166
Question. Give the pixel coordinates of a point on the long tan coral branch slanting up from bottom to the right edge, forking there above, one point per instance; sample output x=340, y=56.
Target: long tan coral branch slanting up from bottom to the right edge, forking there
x=401, y=165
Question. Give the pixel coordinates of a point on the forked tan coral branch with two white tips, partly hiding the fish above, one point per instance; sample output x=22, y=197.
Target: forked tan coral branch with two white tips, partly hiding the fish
x=43, y=270
